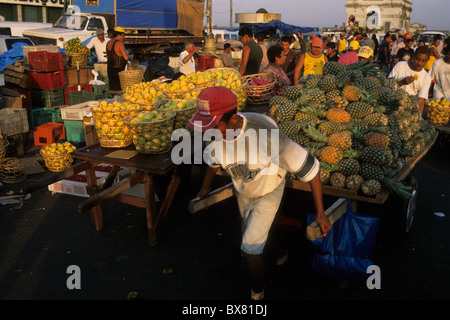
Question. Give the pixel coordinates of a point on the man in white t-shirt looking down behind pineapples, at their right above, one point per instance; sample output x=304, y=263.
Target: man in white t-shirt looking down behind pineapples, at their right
x=412, y=77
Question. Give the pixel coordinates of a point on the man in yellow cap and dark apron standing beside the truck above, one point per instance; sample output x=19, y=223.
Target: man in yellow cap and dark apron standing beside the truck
x=117, y=58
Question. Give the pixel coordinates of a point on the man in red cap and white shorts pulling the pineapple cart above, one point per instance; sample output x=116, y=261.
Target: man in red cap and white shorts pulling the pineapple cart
x=258, y=174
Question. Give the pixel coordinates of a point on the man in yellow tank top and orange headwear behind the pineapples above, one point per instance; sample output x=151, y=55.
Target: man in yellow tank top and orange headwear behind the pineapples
x=311, y=62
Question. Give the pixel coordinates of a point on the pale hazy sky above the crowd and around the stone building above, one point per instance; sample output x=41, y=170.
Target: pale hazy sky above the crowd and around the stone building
x=325, y=13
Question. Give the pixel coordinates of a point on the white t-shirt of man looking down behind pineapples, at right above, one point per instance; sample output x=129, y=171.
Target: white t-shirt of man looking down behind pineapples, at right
x=419, y=87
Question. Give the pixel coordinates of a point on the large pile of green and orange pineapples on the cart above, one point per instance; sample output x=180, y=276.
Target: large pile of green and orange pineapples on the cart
x=355, y=120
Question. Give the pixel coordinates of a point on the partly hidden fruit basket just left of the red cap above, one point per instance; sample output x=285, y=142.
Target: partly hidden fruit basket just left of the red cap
x=183, y=109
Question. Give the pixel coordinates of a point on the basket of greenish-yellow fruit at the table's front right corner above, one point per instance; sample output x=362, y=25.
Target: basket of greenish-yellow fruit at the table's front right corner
x=152, y=131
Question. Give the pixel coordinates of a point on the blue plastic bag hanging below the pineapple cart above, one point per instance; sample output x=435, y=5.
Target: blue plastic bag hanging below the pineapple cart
x=344, y=253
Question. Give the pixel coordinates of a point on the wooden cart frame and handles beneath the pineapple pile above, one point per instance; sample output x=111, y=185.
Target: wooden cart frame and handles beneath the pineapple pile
x=407, y=206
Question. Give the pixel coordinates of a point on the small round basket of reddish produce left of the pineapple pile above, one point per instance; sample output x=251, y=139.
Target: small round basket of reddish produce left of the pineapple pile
x=259, y=88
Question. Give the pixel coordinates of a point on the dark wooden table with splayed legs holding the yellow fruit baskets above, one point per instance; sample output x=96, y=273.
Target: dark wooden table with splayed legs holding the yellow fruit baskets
x=145, y=166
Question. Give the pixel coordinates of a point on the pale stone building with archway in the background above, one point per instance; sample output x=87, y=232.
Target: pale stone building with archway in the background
x=380, y=14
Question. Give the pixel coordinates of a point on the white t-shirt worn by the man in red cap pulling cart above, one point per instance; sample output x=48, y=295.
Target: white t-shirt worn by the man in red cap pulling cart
x=258, y=166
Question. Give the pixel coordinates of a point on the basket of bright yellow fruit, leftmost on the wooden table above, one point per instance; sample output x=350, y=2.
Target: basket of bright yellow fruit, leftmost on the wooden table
x=111, y=128
